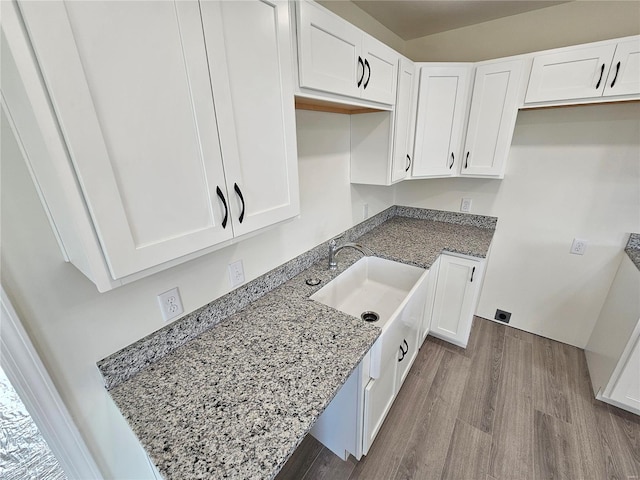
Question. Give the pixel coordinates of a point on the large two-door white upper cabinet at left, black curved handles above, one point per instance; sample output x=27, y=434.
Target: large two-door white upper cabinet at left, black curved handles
x=178, y=119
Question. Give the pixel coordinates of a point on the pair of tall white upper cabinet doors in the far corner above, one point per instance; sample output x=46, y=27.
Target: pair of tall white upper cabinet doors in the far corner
x=441, y=125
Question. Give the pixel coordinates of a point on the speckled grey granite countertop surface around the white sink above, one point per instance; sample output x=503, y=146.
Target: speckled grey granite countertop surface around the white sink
x=236, y=401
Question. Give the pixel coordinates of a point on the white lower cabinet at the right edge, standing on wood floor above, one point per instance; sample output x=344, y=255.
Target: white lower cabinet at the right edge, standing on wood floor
x=613, y=350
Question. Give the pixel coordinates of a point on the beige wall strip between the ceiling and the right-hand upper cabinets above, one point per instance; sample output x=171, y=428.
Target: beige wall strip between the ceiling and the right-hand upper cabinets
x=561, y=25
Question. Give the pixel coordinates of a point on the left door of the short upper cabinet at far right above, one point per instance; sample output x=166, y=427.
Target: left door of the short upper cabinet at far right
x=575, y=73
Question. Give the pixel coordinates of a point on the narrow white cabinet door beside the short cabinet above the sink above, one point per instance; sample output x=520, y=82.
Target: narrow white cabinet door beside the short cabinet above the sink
x=401, y=147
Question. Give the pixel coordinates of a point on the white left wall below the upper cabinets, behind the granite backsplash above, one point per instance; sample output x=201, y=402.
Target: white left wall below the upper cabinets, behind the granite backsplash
x=73, y=326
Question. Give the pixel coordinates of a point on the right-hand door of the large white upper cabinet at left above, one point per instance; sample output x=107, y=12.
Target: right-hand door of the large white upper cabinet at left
x=259, y=146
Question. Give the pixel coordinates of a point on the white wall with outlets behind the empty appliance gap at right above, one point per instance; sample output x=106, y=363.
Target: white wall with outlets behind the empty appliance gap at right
x=571, y=172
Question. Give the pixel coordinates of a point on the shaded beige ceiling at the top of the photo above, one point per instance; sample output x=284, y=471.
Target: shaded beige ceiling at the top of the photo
x=411, y=19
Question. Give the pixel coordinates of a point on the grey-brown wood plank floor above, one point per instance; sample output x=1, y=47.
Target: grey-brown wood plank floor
x=511, y=406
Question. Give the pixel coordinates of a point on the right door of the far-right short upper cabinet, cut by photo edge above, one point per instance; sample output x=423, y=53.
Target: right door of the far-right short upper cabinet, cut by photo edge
x=624, y=74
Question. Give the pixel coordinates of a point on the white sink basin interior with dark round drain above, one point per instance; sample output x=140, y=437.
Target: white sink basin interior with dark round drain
x=370, y=284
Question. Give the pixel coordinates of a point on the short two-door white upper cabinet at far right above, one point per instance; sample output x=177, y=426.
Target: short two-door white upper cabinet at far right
x=584, y=72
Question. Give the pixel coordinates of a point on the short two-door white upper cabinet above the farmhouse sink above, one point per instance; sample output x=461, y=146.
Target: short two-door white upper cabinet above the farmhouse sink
x=338, y=58
